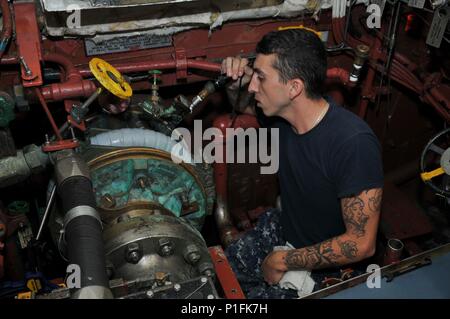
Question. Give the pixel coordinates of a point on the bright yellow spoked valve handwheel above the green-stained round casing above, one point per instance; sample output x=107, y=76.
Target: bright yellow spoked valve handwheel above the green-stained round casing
x=110, y=78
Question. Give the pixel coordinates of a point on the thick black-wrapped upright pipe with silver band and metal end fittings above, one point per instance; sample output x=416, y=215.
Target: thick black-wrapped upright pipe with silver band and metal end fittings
x=82, y=225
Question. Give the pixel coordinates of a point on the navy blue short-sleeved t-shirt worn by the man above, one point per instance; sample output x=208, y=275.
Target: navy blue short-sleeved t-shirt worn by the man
x=339, y=157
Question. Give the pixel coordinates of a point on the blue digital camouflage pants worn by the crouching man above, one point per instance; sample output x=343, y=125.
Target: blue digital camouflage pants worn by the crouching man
x=247, y=254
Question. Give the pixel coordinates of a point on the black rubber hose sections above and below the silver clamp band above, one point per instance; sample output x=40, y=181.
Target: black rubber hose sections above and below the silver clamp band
x=83, y=234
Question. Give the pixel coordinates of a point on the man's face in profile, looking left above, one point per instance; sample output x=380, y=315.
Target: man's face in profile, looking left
x=271, y=94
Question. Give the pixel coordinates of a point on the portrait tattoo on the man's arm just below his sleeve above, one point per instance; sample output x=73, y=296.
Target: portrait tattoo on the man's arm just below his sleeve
x=354, y=217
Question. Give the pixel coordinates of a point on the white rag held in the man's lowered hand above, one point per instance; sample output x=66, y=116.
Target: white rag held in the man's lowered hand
x=299, y=280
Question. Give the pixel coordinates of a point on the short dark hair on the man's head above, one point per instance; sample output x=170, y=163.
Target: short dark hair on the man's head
x=300, y=54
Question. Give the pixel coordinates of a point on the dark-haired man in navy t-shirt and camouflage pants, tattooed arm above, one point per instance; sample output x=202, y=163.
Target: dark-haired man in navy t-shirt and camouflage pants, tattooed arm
x=330, y=168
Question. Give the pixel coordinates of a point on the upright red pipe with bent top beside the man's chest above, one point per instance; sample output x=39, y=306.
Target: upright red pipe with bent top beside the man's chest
x=226, y=227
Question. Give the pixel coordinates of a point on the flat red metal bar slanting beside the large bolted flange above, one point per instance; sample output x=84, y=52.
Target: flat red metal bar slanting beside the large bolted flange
x=225, y=274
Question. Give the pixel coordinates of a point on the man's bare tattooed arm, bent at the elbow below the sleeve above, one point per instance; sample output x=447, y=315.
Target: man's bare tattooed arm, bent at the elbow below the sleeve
x=361, y=215
